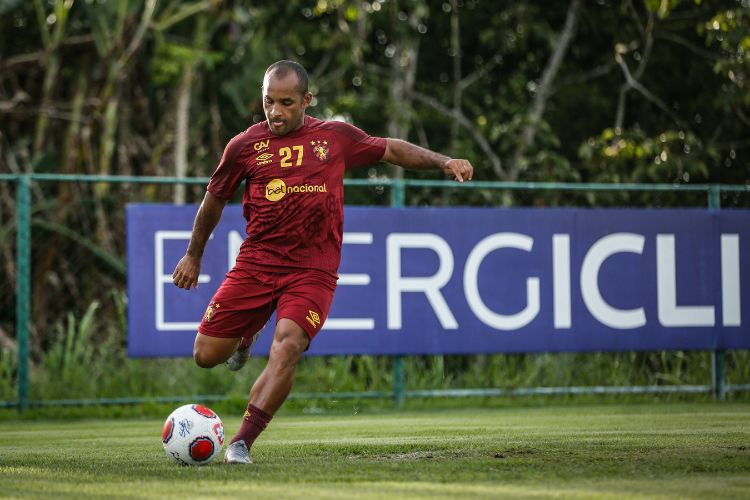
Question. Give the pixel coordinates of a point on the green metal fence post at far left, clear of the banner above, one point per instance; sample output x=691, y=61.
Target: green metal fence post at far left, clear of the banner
x=23, y=288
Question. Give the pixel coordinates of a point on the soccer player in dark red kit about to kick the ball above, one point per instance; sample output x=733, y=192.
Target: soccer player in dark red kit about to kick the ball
x=294, y=167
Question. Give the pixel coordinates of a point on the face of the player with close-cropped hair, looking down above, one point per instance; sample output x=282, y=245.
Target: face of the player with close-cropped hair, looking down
x=283, y=103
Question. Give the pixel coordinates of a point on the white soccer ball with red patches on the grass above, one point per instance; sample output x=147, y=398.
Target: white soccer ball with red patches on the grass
x=193, y=435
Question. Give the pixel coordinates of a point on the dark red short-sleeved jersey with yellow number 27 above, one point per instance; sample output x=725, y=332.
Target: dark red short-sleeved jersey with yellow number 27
x=294, y=194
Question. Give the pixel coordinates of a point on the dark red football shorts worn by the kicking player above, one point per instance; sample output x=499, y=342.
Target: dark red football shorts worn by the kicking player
x=246, y=299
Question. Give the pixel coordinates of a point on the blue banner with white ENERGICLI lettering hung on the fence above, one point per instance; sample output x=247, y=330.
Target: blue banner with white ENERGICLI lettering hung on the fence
x=477, y=280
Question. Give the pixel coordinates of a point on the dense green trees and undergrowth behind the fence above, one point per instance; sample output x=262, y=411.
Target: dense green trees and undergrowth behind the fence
x=92, y=87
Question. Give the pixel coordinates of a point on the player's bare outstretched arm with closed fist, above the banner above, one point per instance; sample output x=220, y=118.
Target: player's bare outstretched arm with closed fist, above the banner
x=411, y=156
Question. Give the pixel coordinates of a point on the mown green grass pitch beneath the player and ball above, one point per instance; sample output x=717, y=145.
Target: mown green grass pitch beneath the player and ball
x=680, y=450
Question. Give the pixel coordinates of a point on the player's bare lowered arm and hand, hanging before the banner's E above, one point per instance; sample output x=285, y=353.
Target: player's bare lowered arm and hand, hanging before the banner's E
x=186, y=272
